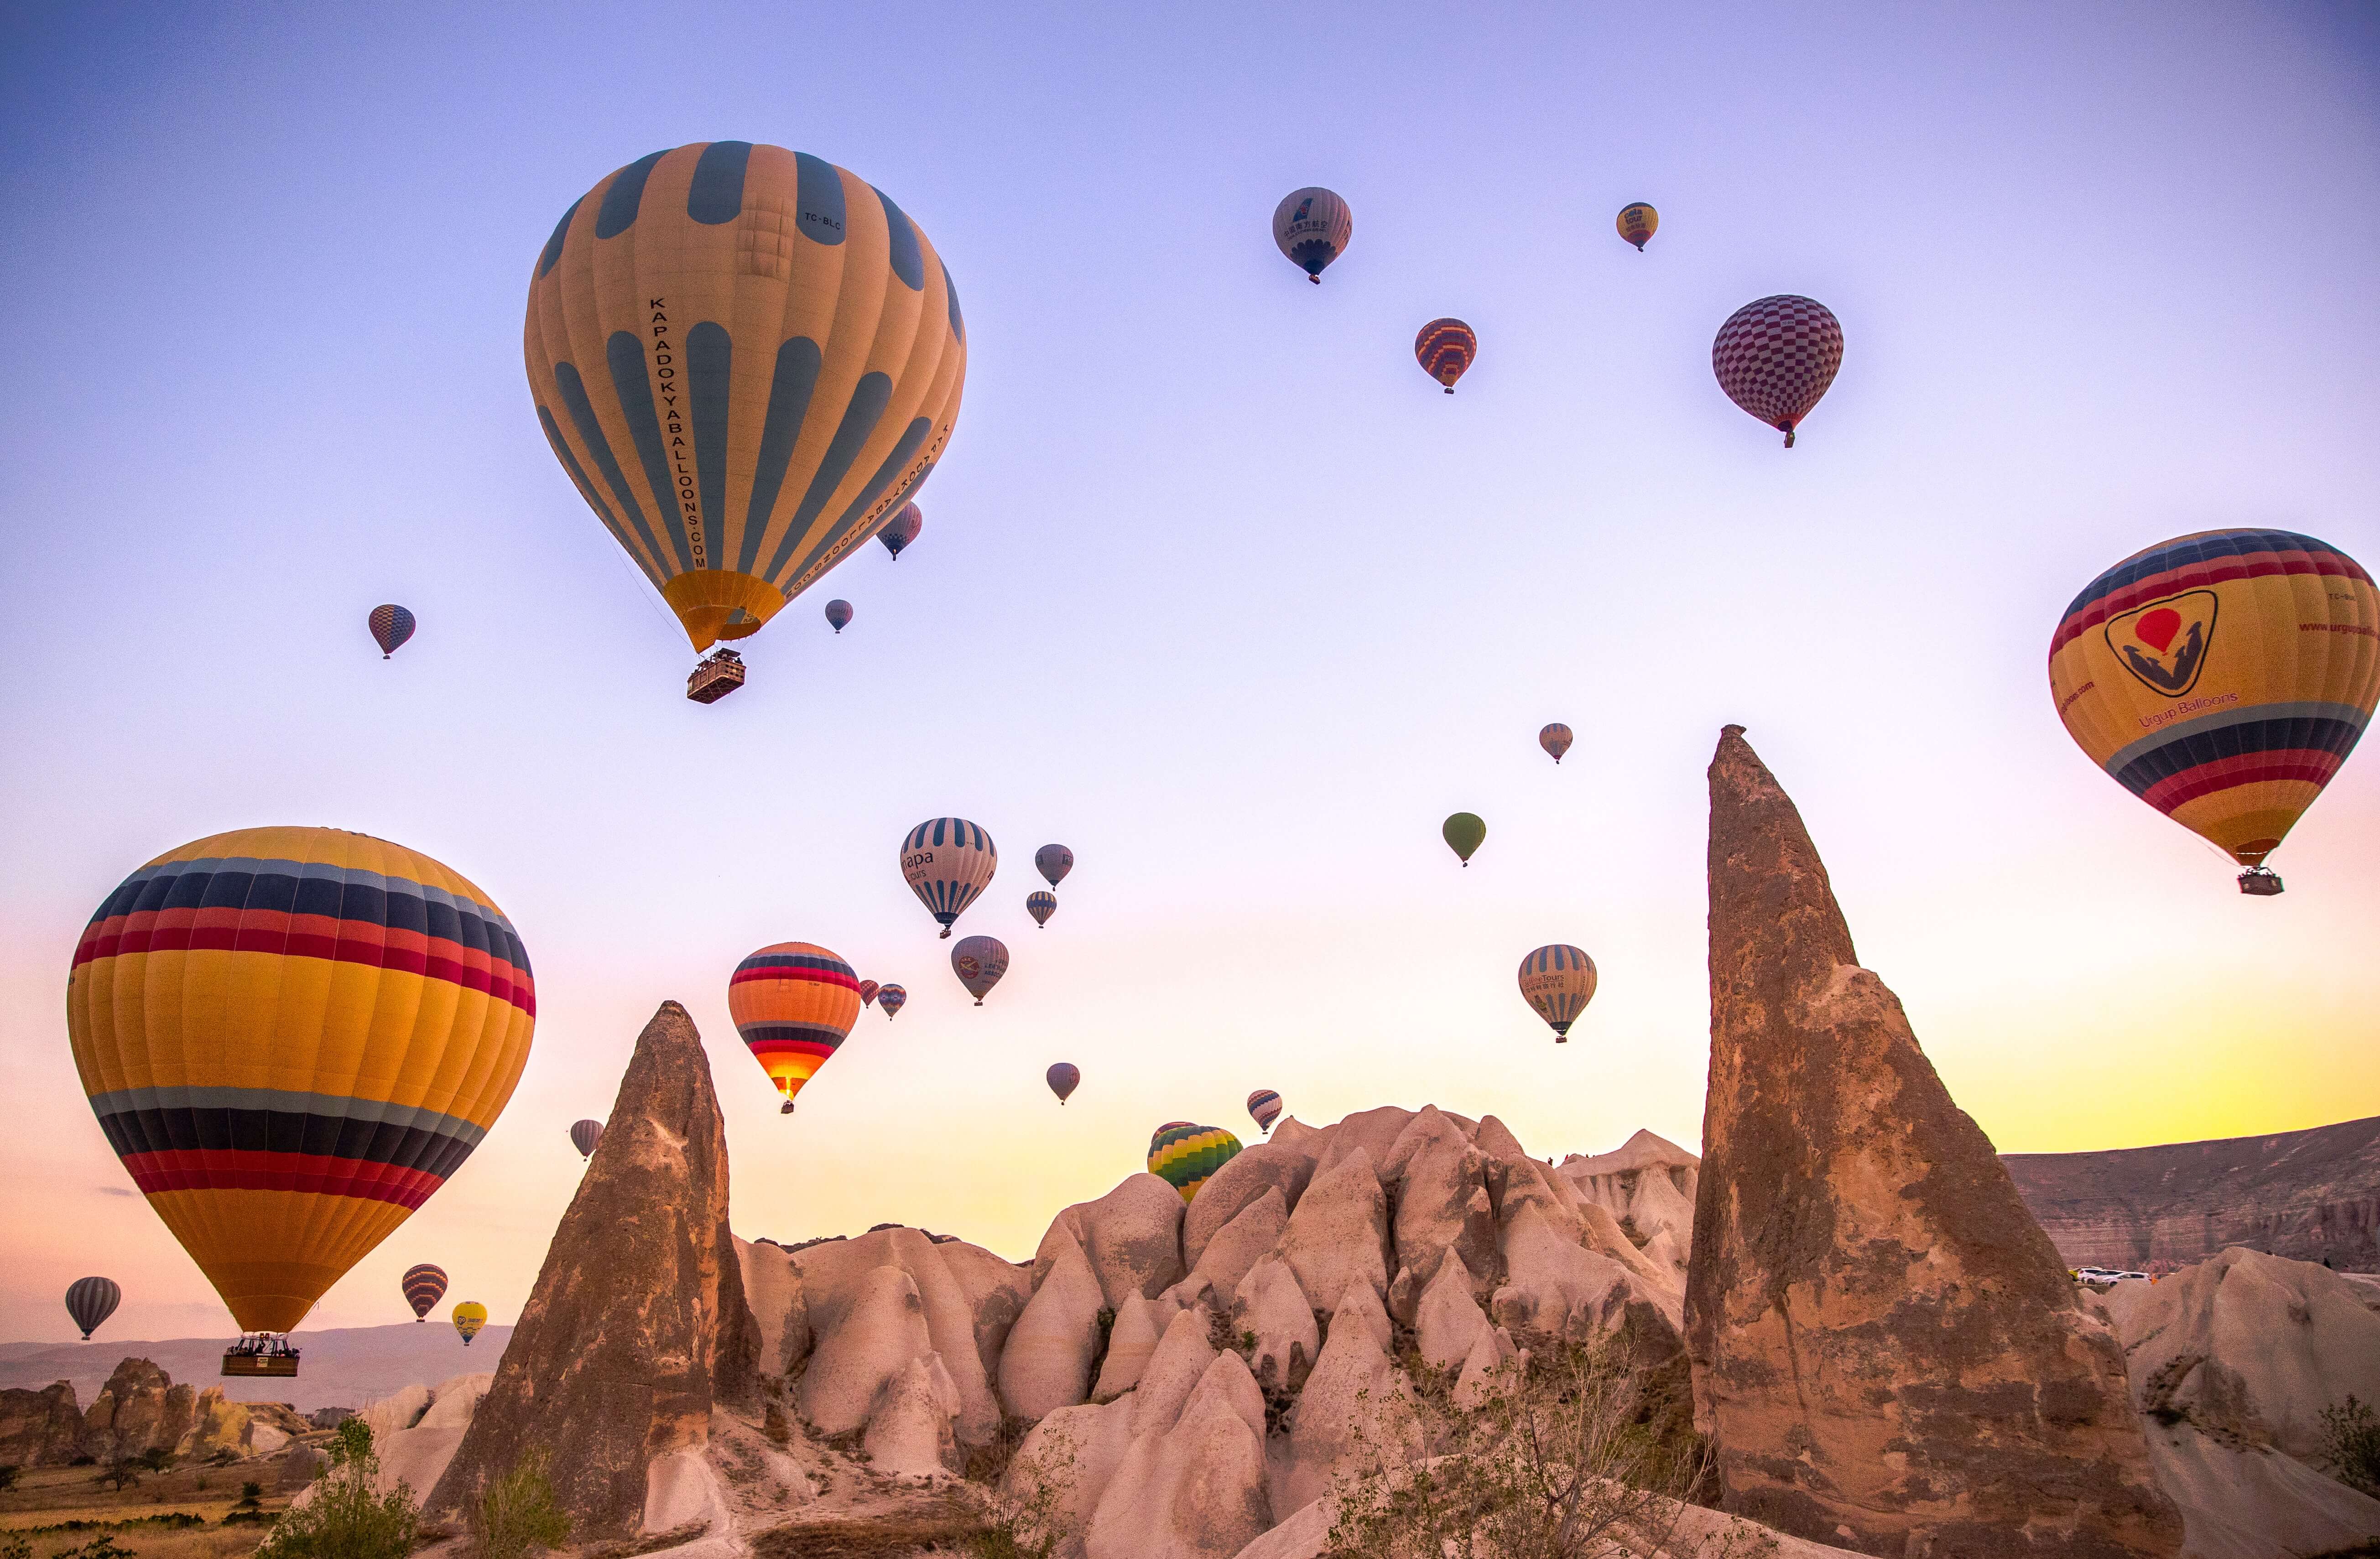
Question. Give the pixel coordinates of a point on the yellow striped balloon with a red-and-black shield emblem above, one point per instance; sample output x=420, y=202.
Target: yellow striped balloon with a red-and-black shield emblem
x=2224, y=680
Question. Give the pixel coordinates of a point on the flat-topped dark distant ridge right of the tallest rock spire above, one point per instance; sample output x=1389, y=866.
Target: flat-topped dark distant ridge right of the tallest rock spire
x=2298, y=1194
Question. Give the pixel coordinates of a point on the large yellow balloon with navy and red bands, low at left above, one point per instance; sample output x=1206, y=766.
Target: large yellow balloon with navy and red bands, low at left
x=292, y=1039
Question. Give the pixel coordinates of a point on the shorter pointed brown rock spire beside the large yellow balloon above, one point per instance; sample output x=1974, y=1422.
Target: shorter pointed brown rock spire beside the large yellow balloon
x=639, y=1322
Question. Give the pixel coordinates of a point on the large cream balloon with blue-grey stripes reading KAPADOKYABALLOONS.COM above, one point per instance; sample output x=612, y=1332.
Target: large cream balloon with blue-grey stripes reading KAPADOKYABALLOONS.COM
x=749, y=361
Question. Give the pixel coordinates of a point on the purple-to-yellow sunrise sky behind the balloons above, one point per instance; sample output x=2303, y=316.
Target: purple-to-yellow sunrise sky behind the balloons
x=1215, y=584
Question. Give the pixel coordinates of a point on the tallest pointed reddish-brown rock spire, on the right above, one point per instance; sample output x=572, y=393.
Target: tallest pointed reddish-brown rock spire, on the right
x=1886, y=1346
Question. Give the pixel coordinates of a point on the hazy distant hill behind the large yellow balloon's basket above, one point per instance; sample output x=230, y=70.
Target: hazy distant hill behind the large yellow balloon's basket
x=344, y=1367
